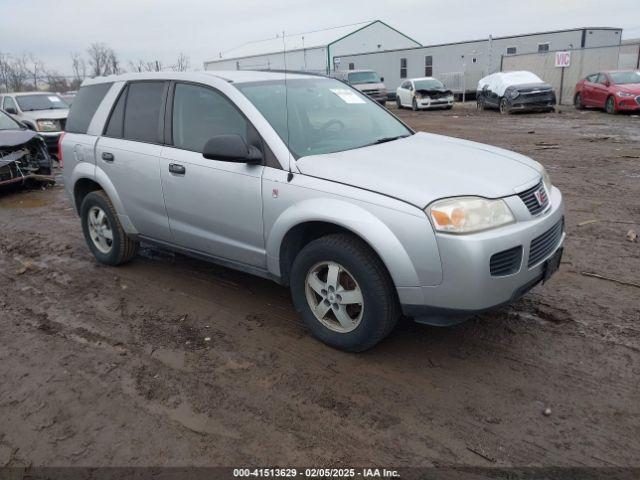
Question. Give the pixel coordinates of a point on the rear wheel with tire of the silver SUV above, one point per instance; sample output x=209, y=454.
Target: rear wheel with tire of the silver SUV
x=103, y=232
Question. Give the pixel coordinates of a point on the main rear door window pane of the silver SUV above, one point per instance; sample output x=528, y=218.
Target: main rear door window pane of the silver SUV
x=142, y=111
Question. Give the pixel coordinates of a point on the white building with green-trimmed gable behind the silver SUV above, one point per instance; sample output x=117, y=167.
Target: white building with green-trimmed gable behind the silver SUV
x=317, y=51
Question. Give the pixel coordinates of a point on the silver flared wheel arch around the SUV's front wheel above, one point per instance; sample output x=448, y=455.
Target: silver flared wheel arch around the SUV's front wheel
x=352, y=217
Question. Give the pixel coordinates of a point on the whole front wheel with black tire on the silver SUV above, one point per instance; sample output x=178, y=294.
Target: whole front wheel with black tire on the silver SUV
x=343, y=293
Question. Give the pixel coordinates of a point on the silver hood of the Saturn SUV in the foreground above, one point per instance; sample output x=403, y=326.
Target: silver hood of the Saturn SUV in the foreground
x=425, y=167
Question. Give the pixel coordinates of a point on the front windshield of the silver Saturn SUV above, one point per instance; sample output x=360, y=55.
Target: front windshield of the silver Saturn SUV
x=324, y=115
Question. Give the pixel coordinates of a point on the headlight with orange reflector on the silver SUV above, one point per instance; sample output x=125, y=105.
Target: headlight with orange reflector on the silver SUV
x=469, y=214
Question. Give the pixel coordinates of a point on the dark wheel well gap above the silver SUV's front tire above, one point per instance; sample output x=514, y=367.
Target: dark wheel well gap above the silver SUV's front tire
x=301, y=235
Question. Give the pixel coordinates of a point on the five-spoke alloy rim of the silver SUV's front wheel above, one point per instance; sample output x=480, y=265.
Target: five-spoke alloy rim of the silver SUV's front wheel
x=334, y=297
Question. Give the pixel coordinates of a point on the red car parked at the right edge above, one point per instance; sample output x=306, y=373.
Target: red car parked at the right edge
x=615, y=91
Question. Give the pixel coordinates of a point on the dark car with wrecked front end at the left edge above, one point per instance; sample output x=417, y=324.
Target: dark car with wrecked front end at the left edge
x=23, y=154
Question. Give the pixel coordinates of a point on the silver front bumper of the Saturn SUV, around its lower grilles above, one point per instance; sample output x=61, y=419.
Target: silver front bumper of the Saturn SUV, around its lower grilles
x=468, y=287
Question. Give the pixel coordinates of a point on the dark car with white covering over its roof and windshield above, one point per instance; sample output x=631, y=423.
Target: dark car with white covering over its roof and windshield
x=515, y=91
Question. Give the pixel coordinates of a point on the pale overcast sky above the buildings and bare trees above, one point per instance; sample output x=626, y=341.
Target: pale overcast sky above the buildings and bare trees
x=161, y=29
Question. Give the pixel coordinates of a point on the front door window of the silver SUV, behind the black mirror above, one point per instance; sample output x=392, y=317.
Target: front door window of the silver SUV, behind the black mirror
x=199, y=113
